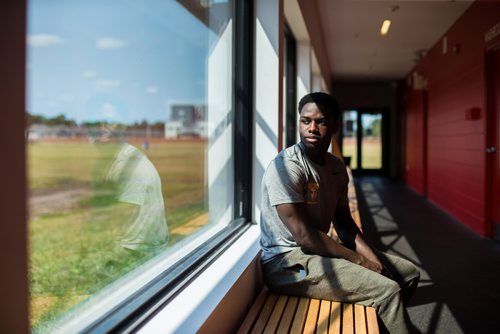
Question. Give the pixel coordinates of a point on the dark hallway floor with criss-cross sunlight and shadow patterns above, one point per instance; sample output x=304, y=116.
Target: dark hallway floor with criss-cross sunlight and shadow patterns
x=460, y=271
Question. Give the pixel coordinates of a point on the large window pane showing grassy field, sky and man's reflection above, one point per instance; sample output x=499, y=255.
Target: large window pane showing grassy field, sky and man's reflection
x=129, y=142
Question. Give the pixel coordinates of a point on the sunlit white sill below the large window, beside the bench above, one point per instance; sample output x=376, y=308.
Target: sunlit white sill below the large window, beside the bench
x=187, y=312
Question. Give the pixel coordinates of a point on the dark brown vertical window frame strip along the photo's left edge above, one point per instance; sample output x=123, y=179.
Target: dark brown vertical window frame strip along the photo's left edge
x=14, y=283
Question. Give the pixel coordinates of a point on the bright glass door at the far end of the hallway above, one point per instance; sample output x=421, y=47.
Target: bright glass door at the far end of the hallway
x=362, y=140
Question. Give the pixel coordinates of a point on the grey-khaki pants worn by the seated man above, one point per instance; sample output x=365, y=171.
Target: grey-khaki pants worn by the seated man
x=305, y=275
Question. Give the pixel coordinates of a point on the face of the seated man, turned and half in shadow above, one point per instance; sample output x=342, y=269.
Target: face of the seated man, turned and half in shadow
x=316, y=127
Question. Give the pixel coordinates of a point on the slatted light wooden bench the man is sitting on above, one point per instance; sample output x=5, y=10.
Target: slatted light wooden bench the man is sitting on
x=272, y=313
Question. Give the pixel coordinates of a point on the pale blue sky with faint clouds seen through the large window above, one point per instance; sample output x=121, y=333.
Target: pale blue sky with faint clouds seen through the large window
x=115, y=60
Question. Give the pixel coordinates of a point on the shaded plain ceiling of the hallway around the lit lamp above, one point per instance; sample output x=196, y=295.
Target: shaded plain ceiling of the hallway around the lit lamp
x=357, y=51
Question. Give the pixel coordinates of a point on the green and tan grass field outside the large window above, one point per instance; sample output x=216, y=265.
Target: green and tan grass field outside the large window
x=75, y=229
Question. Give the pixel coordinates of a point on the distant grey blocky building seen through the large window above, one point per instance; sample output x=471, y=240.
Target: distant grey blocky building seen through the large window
x=186, y=120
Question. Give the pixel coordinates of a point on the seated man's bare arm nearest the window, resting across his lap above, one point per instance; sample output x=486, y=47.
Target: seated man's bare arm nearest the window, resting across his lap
x=311, y=239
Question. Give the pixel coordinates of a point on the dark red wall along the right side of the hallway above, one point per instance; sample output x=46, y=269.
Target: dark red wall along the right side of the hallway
x=456, y=158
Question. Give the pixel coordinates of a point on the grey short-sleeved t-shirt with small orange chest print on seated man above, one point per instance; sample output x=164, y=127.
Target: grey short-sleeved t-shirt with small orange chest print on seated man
x=293, y=178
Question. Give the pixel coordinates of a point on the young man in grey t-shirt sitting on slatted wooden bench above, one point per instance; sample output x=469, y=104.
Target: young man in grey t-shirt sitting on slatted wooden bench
x=304, y=191
